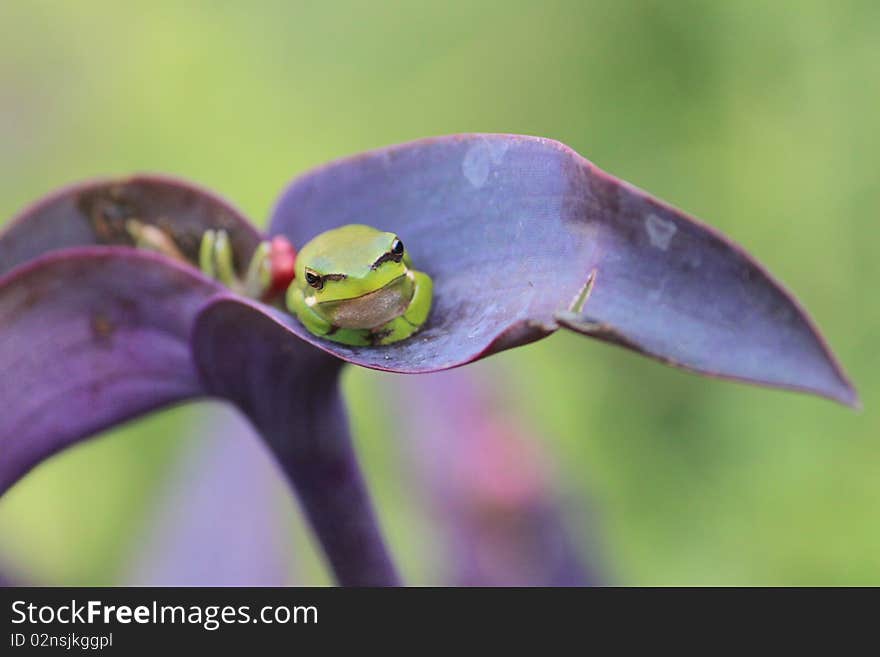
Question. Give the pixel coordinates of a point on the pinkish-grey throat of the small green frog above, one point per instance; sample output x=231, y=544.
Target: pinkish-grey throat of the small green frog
x=371, y=310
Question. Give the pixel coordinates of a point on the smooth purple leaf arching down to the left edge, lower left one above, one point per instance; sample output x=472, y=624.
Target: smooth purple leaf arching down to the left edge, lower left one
x=89, y=338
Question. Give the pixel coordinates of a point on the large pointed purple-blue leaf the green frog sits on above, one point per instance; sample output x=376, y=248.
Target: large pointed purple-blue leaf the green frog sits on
x=516, y=230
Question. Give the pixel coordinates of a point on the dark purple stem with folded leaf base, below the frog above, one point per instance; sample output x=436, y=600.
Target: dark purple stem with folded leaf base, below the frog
x=290, y=392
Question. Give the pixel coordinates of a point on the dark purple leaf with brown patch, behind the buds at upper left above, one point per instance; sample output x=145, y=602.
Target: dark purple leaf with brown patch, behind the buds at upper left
x=95, y=213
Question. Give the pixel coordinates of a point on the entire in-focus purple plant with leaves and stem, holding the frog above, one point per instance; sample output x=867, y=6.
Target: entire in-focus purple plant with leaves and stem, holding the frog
x=521, y=236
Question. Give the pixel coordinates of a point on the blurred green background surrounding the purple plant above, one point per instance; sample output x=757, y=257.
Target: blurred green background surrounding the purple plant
x=761, y=118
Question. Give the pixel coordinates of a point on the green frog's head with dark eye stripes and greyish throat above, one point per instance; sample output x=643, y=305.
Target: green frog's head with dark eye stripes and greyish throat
x=355, y=274
